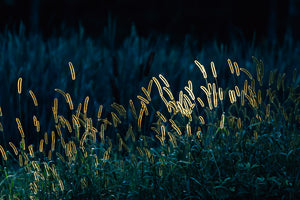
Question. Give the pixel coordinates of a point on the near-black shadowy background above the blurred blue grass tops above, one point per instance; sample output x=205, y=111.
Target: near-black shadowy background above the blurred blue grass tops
x=209, y=19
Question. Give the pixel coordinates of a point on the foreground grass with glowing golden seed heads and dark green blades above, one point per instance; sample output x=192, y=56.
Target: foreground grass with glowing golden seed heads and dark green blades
x=207, y=141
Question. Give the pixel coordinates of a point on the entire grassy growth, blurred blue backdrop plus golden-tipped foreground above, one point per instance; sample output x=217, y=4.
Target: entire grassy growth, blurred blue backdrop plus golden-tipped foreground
x=142, y=121
